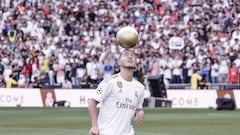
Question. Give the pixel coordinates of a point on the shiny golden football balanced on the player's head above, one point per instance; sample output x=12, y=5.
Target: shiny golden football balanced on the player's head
x=127, y=37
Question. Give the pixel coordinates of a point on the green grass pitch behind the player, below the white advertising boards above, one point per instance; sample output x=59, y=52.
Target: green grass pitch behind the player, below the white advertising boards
x=75, y=121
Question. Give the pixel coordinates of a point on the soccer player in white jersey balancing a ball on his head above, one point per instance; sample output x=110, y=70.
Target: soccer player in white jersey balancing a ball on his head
x=121, y=99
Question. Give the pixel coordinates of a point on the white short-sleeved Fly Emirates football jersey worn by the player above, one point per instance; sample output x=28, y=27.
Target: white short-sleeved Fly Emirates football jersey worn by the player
x=118, y=100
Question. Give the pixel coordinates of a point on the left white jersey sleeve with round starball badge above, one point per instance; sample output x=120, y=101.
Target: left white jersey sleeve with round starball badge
x=102, y=91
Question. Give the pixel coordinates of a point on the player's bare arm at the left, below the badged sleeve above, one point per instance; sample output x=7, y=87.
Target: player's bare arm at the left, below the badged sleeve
x=92, y=109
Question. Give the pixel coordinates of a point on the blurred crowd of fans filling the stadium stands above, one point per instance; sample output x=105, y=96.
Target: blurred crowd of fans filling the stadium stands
x=72, y=43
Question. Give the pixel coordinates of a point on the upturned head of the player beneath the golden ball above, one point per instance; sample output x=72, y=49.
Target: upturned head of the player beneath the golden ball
x=127, y=59
